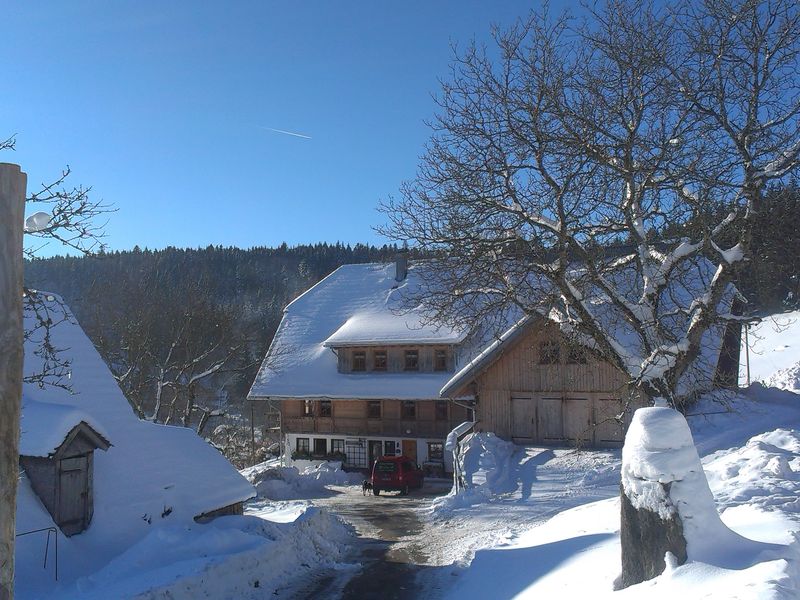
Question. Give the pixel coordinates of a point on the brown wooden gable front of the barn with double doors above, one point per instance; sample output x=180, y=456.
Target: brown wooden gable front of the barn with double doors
x=541, y=390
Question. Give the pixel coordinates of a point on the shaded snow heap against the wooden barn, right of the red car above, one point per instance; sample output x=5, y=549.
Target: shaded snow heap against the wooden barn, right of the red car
x=485, y=466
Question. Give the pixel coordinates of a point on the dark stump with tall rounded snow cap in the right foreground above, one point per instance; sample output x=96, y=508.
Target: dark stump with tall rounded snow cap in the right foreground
x=664, y=494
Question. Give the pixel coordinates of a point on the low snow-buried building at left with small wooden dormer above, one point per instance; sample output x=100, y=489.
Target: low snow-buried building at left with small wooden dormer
x=91, y=471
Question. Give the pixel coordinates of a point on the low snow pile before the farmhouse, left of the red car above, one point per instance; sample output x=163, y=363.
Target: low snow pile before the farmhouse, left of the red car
x=289, y=483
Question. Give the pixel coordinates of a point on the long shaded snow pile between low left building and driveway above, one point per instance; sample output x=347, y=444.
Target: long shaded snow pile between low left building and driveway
x=266, y=555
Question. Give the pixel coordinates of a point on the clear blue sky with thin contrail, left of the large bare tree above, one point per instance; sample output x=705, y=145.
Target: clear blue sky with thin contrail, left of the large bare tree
x=174, y=111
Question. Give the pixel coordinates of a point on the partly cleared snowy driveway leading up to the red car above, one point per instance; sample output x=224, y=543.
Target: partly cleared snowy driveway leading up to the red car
x=410, y=551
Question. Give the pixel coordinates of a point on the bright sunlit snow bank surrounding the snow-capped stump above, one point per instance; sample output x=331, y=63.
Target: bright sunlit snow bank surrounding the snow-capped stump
x=751, y=445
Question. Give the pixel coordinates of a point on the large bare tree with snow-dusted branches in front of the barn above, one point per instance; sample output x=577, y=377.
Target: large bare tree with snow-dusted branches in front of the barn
x=557, y=162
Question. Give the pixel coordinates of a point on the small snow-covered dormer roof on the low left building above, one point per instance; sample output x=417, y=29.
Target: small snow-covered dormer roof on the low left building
x=45, y=426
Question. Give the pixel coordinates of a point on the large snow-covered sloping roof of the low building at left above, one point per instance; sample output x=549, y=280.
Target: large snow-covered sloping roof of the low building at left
x=152, y=474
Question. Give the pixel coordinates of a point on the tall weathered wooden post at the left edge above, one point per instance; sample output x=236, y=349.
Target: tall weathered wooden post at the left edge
x=12, y=214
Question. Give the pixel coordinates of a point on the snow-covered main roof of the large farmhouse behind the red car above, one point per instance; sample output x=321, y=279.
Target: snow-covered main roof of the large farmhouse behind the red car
x=356, y=305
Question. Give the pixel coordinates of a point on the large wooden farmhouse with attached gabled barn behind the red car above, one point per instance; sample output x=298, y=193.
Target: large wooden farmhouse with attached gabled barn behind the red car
x=354, y=370
